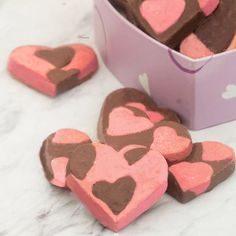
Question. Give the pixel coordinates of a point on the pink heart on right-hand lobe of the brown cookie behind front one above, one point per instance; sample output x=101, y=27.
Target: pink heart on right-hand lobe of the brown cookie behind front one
x=170, y=145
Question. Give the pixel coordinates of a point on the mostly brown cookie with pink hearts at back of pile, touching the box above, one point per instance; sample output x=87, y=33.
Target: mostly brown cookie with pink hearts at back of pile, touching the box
x=130, y=118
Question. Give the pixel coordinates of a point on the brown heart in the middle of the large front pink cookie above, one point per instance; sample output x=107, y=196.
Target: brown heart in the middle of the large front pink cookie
x=116, y=195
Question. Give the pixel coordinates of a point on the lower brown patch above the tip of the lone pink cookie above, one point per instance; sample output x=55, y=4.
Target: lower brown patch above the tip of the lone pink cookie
x=56, y=76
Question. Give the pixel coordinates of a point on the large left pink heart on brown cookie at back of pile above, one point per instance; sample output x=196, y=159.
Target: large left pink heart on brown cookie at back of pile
x=123, y=121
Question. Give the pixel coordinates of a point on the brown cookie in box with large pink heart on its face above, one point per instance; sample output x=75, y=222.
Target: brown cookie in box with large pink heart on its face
x=170, y=21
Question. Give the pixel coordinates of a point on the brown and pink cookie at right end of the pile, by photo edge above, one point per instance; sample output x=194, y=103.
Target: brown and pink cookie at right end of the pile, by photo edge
x=209, y=164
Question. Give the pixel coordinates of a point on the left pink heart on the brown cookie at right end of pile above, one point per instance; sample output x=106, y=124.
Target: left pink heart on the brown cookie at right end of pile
x=194, y=177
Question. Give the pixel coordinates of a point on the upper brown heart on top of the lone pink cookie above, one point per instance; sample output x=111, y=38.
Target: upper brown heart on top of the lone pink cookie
x=59, y=57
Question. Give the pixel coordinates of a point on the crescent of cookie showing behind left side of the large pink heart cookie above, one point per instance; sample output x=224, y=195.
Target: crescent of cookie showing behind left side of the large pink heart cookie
x=55, y=152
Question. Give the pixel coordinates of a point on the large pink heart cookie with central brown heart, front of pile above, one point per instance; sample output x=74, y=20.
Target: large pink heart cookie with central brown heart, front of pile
x=113, y=190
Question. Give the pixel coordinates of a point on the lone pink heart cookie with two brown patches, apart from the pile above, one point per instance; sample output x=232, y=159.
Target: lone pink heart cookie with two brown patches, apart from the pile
x=53, y=71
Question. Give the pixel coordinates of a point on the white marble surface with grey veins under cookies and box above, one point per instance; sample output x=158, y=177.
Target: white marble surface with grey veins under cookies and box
x=28, y=204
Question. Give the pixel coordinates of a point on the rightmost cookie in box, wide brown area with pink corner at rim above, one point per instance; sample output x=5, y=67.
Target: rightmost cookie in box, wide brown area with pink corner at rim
x=215, y=35
